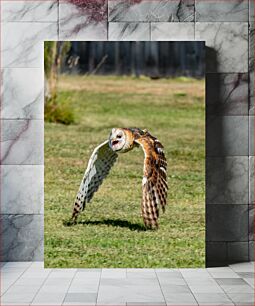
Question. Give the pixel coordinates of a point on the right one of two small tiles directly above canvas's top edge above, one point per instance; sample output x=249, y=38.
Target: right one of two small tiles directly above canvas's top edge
x=181, y=31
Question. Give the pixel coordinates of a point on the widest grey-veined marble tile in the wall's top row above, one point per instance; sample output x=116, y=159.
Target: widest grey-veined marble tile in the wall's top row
x=152, y=10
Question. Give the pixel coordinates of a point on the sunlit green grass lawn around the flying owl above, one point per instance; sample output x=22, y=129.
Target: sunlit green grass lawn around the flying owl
x=110, y=231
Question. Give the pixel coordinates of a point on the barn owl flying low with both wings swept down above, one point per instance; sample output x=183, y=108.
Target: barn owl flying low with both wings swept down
x=154, y=183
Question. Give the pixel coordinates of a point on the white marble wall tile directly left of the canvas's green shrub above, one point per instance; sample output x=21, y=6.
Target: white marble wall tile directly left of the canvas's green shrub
x=22, y=93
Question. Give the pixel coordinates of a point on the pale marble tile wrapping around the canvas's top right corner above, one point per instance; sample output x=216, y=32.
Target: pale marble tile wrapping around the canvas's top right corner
x=226, y=43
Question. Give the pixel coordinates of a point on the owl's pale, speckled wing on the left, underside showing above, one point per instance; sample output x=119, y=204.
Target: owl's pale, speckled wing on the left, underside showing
x=99, y=166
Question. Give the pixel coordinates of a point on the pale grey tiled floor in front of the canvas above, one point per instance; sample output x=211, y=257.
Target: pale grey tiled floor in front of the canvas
x=28, y=283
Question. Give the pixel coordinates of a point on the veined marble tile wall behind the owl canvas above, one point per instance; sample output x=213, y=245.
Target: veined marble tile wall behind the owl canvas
x=227, y=29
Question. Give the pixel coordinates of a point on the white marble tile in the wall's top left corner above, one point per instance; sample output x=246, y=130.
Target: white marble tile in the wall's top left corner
x=23, y=10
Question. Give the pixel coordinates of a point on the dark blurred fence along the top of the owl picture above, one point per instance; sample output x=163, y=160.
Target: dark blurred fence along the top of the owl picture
x=154, y=59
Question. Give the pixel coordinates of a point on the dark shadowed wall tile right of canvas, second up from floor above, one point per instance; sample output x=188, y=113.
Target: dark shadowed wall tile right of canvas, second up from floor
x=227, y=223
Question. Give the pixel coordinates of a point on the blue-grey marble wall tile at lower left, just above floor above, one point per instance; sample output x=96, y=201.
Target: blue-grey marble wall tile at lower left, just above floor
x=22, y=237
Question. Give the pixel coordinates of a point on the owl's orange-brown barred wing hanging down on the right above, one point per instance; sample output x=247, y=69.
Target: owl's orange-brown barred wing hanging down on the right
x=154, y=182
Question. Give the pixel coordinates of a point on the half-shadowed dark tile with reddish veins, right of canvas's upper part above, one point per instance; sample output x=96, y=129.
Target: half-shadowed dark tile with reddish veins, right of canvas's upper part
x=227, y=94
